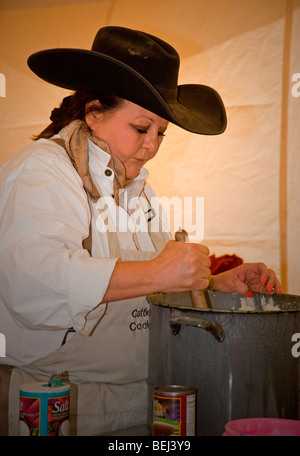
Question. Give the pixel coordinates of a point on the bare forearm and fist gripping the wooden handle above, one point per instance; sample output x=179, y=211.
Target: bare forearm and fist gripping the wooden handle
x=179, y=267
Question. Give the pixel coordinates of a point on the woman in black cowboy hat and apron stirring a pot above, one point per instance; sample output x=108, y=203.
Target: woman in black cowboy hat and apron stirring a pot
x=75, y=269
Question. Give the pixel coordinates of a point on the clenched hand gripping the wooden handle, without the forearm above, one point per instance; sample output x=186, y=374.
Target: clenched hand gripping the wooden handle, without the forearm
x=182, y=266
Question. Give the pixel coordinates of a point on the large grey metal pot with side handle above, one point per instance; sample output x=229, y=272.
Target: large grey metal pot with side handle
x=240, y=361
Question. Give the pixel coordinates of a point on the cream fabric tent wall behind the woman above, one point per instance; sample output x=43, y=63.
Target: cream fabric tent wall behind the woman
x=249, y=52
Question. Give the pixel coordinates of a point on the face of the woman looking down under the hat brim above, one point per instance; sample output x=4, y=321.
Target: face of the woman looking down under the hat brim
x=132, y=133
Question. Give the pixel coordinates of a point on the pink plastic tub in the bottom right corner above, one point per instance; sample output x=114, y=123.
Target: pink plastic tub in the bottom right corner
x=262, y=427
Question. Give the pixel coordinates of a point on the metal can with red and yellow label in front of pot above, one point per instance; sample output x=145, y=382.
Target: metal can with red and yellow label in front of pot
x=174, y=410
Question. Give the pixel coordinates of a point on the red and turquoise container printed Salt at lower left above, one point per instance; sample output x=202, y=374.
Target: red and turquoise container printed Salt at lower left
x=44, y=414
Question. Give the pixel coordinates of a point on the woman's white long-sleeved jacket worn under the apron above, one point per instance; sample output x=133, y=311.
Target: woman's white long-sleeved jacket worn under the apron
x=48, y=282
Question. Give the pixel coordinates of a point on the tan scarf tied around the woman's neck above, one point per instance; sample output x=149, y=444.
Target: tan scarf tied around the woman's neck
x=76, y=143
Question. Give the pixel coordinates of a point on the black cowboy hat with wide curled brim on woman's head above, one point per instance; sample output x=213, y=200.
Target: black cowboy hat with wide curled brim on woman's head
x=140, y=68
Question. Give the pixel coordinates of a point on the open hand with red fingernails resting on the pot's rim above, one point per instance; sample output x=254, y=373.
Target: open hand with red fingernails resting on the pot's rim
x=246, y=279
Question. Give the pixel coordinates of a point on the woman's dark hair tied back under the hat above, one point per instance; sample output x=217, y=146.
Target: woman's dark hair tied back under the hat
x=74, y=107
